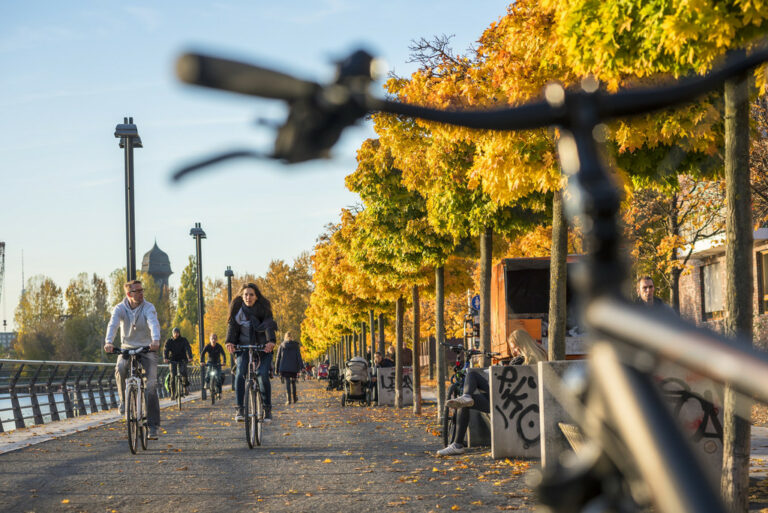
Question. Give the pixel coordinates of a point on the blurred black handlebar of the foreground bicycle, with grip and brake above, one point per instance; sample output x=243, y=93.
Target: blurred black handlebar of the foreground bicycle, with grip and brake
x=319, y=113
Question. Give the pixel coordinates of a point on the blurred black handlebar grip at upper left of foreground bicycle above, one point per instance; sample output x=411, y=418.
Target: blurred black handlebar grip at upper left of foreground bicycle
x=240, y=77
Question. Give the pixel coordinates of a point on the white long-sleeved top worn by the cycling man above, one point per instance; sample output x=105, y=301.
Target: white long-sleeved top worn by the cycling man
x=138, y=326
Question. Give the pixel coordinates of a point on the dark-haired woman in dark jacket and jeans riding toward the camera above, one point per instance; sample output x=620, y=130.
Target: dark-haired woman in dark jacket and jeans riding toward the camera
x=250, y=322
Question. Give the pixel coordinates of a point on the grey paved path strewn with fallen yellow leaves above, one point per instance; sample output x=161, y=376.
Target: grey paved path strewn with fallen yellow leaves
x=316, y=456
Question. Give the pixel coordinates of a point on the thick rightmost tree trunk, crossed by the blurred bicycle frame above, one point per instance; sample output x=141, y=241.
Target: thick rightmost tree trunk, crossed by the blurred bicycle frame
x=738, y=269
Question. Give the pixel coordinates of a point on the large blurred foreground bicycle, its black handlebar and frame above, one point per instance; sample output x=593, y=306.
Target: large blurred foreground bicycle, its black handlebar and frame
x=623, y=335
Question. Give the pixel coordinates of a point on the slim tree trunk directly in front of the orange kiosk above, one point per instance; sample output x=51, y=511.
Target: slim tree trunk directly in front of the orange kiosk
x=557, y=281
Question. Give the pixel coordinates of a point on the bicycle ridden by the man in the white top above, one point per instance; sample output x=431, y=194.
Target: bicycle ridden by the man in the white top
x=134, y=399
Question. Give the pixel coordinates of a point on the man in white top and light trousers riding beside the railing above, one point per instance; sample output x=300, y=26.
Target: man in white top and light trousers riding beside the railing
x=139, y=327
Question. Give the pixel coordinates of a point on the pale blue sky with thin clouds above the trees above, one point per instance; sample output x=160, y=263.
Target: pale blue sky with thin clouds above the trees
x=72, y=70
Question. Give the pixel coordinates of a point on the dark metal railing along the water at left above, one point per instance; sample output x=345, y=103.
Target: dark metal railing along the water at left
x=38, y=392
